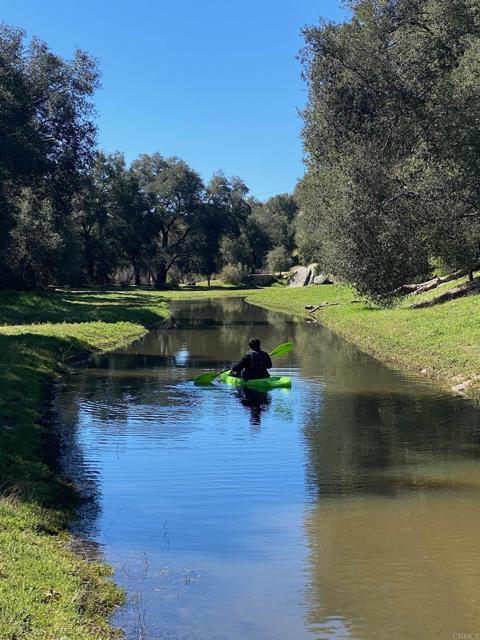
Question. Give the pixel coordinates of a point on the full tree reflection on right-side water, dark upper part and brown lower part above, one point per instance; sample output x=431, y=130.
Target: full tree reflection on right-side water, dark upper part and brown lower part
x=394, y=482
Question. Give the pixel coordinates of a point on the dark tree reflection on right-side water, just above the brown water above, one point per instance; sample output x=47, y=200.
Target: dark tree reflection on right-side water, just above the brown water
x=364, y=442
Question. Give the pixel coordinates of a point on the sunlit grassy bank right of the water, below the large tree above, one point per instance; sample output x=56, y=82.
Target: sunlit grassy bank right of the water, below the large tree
x=442, y=342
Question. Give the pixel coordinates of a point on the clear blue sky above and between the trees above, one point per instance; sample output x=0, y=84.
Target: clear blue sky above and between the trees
x=215, y=82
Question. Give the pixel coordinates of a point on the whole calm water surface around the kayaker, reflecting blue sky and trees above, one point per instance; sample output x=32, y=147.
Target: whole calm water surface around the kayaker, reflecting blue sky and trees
x=347, y=507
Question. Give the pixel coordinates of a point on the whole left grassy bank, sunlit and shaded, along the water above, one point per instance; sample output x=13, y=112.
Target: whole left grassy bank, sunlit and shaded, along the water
x=46, y=591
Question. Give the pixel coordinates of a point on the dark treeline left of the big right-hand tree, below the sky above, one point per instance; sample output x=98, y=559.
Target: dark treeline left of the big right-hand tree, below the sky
x=73, y=215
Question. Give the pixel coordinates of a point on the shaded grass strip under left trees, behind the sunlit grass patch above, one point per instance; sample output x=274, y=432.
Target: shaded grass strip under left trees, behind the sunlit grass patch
x=81, y=306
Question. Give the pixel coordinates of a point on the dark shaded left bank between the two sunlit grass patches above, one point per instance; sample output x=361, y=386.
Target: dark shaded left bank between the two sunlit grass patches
x=27, y=450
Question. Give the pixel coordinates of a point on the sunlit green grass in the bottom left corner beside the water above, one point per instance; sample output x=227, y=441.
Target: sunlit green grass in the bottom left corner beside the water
x=46, y=591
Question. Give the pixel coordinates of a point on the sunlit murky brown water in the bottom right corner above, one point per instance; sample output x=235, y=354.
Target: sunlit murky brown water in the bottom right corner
x=400, y=569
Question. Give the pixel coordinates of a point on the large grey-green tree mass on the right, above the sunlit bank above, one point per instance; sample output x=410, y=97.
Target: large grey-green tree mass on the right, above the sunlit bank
x=392, y=137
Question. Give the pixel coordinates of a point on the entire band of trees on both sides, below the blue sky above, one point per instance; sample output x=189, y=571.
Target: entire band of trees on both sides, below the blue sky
x=391, y=191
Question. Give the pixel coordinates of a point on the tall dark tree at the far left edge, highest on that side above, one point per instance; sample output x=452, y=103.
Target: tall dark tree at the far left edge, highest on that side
x=47, y=137
